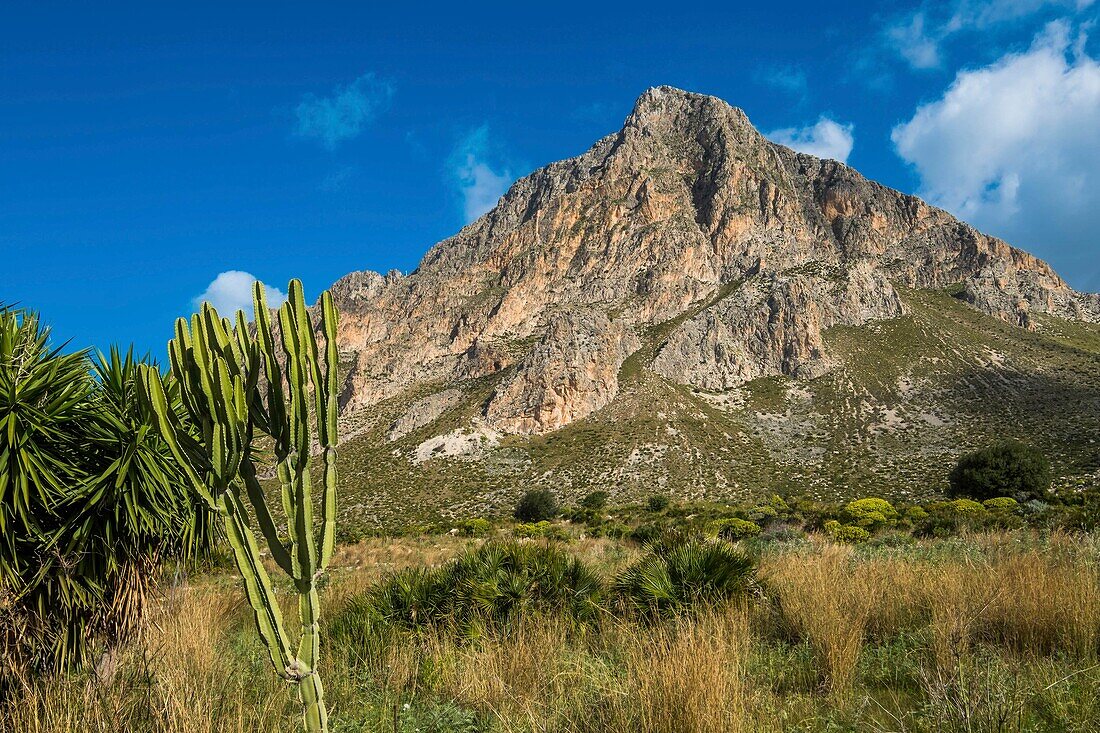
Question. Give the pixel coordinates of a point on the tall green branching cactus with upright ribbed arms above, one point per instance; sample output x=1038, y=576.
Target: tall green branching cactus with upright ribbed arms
x=238, y=389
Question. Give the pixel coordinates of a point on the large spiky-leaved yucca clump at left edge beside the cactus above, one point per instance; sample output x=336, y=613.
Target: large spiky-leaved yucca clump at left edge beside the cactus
x=91, y=500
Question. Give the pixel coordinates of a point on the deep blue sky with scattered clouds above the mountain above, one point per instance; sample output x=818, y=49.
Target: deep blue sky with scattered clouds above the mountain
x=153, y=155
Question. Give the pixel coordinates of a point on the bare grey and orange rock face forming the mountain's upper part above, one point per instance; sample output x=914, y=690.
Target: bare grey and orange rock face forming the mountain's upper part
x=689, y=218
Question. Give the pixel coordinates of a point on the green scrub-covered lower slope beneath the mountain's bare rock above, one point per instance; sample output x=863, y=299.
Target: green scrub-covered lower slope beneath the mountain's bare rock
x=905, y=399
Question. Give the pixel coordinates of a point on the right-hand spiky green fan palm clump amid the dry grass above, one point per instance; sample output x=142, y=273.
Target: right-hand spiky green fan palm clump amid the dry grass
x=684, y=576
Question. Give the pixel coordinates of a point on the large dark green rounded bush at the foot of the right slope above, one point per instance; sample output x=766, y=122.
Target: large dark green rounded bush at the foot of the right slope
x=1007, y=469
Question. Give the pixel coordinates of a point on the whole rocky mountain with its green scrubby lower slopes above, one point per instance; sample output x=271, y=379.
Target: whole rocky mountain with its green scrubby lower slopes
x=689, y=308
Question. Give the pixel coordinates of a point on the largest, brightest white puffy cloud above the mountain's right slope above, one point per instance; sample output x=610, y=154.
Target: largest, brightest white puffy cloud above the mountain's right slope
x=1015, y=148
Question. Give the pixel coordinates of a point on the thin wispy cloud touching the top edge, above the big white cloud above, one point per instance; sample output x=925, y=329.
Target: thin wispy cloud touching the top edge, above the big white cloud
x=919, y=37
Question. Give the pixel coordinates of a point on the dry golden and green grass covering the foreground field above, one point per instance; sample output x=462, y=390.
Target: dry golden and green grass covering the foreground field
x=994, y=632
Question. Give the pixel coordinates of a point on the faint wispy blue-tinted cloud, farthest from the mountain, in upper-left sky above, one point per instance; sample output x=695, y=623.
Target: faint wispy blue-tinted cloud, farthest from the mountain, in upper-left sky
x=343, y=116
